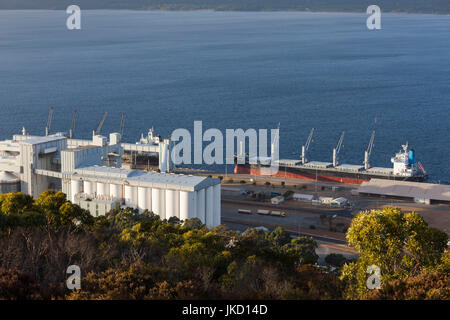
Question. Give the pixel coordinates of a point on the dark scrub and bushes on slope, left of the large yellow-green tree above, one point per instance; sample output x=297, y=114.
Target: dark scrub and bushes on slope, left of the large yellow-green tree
x=127, y=255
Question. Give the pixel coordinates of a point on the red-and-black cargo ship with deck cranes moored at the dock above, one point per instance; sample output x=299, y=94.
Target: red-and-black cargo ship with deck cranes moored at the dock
x=404, y=167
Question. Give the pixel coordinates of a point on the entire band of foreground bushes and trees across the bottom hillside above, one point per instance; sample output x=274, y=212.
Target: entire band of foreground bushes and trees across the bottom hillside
x=127, y=255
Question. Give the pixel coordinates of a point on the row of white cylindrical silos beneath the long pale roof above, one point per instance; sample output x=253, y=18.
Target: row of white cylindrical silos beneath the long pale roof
x=203, y=203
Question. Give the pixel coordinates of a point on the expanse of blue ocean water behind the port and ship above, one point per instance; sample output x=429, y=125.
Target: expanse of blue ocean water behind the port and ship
x=236, y=70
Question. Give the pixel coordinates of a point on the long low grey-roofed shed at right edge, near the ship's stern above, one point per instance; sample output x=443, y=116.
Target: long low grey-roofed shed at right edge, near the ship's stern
x=420, y=192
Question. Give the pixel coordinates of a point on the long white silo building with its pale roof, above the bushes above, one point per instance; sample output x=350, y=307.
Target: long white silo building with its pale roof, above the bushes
x=100, y=189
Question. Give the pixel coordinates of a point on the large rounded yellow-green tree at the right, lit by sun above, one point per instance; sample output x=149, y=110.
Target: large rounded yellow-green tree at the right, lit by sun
x=401, y=245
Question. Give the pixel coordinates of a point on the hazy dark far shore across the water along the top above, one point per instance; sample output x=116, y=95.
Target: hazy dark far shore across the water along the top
x=423, y=6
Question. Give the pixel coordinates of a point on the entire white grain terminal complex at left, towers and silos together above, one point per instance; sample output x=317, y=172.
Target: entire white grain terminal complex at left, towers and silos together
x=89, y=173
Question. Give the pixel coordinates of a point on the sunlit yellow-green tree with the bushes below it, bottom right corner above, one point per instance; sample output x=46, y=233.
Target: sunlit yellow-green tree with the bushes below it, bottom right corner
x=404, y=248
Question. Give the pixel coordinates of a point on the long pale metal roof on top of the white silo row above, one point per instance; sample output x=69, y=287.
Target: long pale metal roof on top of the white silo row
x=143, y=178
